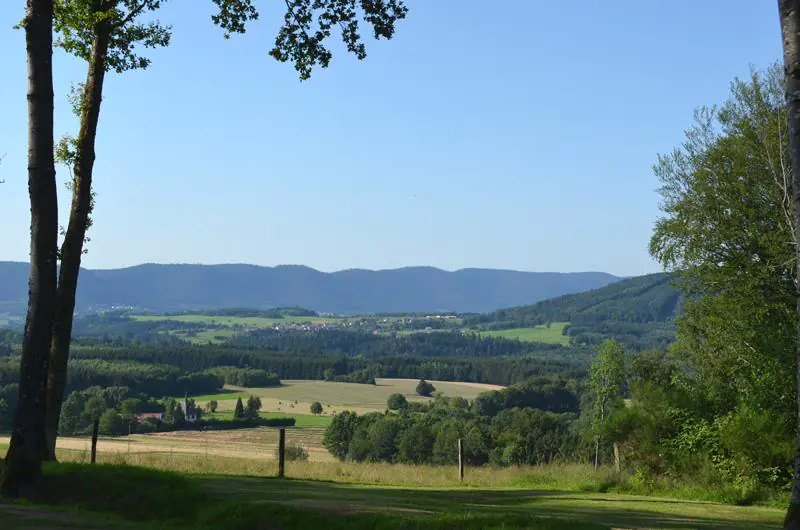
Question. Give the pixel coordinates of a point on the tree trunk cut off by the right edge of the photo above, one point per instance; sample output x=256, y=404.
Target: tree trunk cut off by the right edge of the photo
x=790, y=29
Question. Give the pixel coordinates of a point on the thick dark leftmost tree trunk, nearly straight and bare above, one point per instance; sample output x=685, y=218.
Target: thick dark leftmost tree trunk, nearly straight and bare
x=23, y=463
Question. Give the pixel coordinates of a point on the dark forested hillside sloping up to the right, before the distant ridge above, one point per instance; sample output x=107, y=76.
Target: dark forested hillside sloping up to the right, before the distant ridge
x=638, y=311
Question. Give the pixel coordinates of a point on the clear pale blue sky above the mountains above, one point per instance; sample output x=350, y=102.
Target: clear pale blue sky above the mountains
x=516, y=134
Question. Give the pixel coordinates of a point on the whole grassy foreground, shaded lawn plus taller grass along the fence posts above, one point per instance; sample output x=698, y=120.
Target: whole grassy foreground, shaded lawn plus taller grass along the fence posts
x=235, y=493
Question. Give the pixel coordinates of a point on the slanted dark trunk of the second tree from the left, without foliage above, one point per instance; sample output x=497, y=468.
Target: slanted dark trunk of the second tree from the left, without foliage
x=72, y=248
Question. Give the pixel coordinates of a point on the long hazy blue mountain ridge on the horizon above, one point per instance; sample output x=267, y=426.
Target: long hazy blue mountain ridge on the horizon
x=176, y=287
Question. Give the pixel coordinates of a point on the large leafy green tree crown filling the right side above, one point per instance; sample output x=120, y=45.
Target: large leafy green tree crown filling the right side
x=728, y=230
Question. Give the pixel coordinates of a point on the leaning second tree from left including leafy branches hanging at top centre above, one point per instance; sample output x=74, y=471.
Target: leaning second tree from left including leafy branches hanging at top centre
x=104, y=32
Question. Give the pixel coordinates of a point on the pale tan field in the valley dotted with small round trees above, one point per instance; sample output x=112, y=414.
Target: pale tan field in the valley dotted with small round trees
x=296, y=396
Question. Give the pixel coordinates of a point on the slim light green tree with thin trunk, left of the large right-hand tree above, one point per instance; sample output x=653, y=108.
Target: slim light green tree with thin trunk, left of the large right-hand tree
x=606, y=380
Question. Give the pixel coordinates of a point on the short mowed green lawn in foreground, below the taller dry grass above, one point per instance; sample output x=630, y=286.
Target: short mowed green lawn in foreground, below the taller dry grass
x=162, y=499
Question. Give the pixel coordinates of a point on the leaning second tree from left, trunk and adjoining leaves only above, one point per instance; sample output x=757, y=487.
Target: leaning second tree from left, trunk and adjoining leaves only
x=103, y=33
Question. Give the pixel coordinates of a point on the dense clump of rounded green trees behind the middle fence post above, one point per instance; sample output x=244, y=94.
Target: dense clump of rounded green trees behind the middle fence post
x=505, y=427
